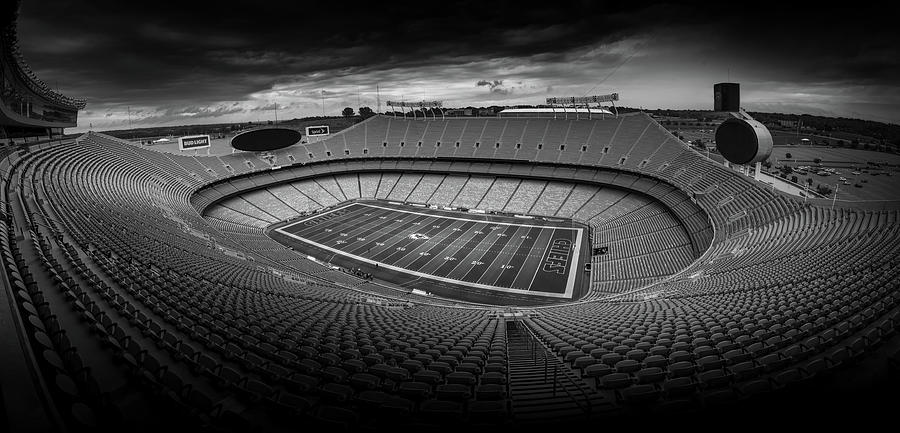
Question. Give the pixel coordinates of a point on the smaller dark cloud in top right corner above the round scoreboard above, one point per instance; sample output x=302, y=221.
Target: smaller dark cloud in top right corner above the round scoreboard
x=853, y=42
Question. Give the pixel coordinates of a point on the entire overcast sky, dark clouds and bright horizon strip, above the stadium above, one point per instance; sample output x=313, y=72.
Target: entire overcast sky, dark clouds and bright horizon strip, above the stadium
x=207, y=62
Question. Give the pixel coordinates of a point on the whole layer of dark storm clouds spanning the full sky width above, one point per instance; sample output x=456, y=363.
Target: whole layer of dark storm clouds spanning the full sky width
x=200, y=53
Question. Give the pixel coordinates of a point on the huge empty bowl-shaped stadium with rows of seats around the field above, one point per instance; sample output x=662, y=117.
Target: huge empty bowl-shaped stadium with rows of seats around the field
x=518, y=271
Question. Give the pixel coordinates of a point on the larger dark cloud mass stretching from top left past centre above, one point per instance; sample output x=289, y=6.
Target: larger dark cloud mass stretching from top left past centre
x=115, y=51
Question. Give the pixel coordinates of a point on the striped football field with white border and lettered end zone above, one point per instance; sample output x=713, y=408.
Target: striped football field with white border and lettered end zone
x=485, y=252
